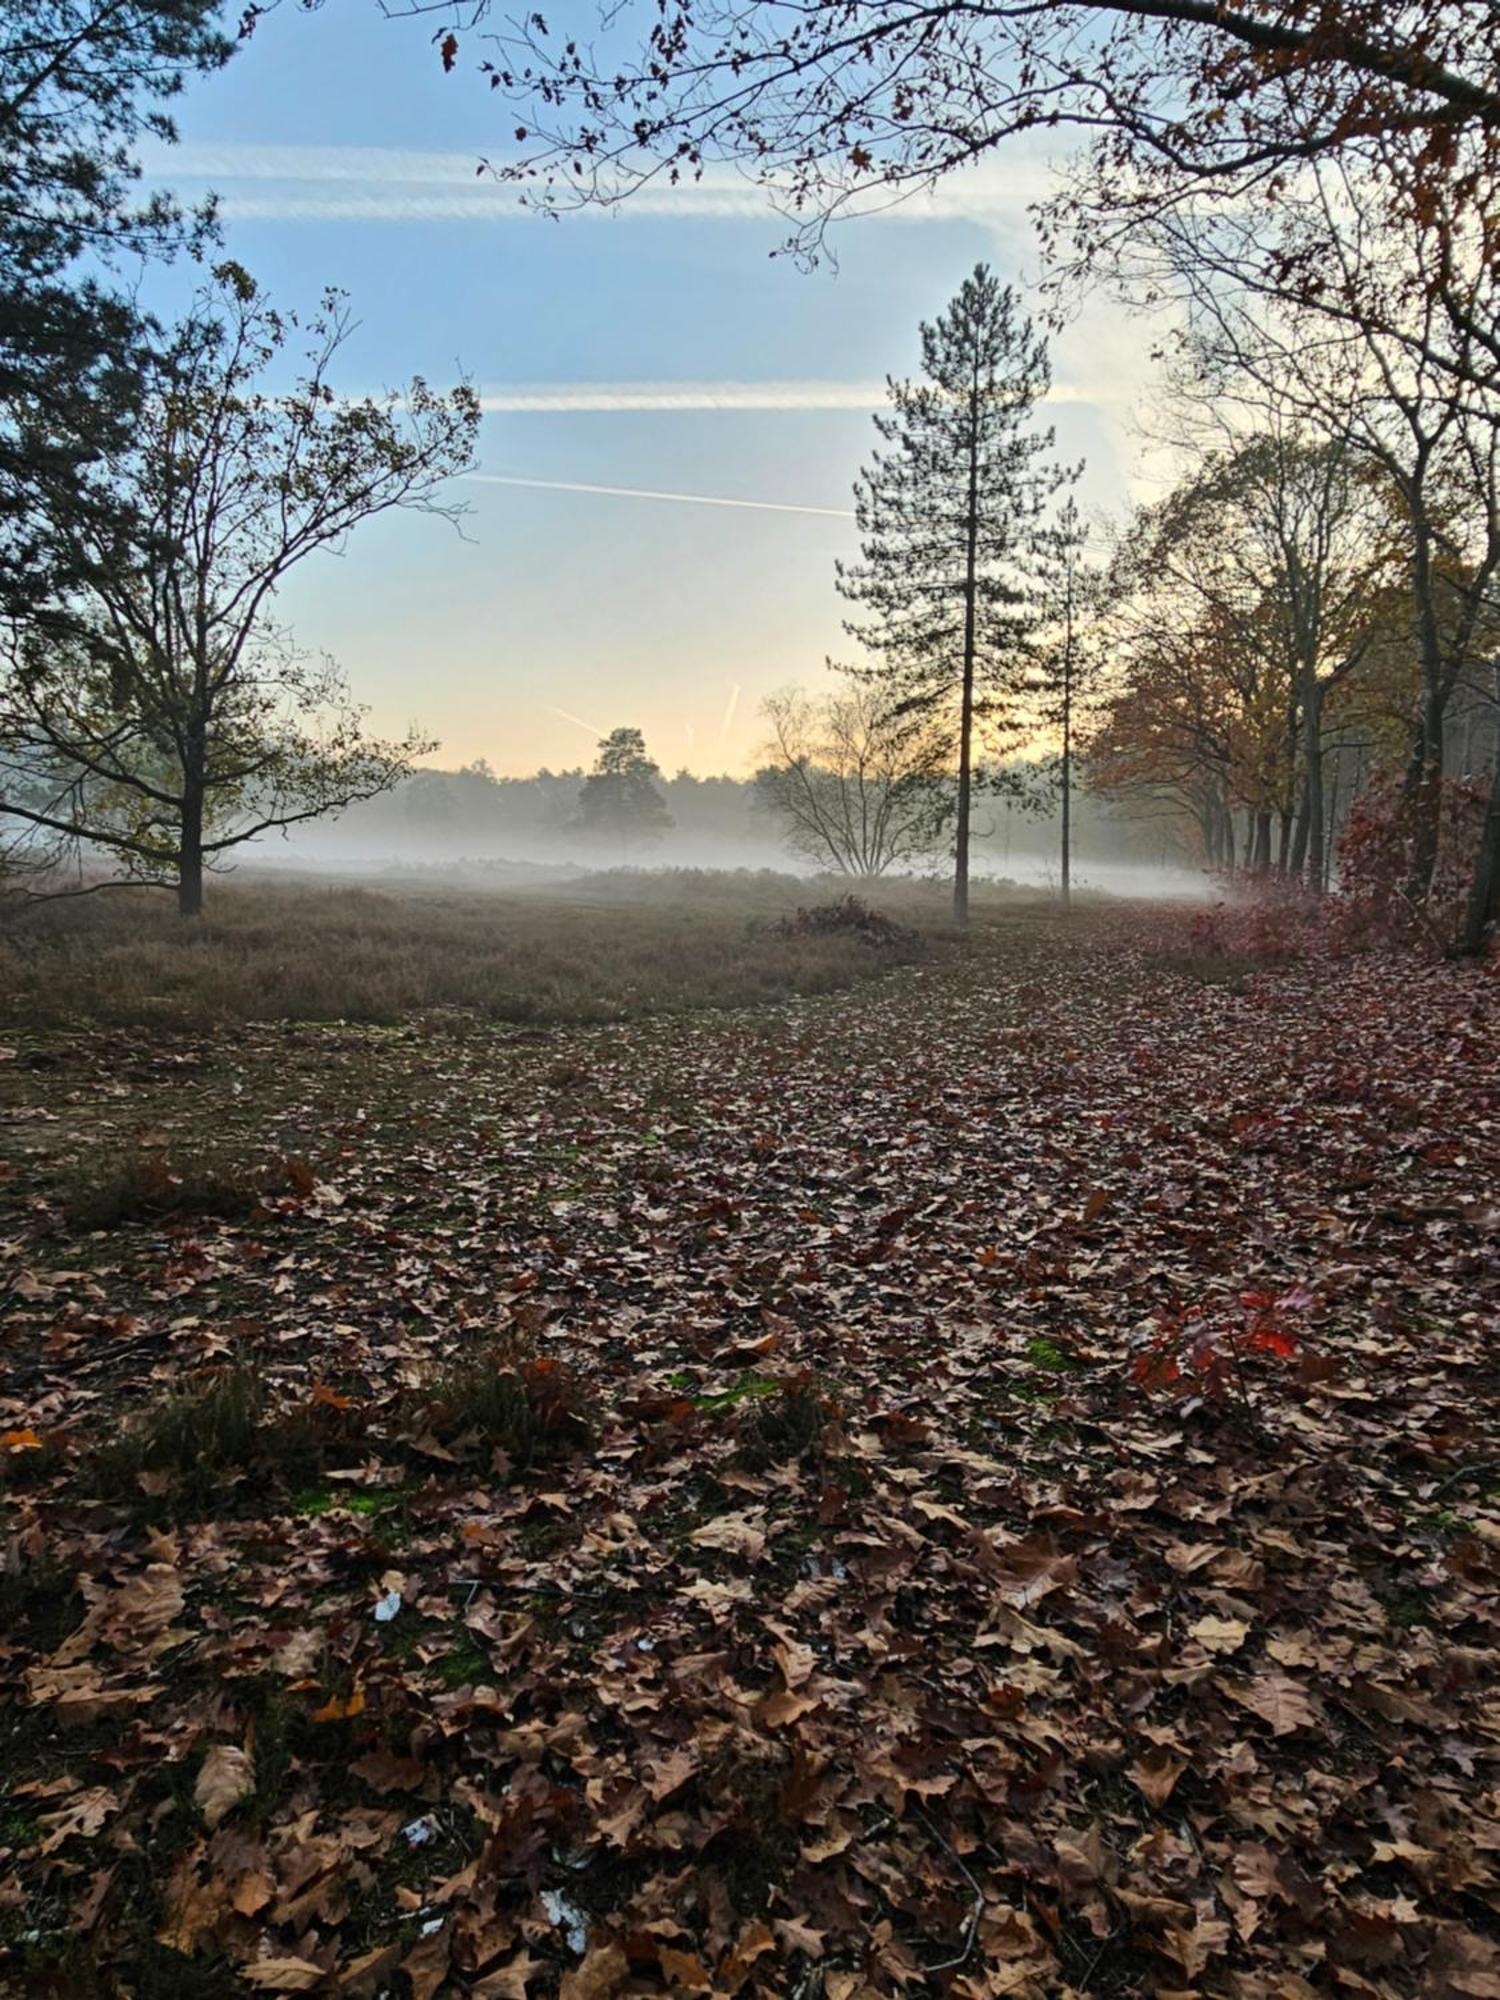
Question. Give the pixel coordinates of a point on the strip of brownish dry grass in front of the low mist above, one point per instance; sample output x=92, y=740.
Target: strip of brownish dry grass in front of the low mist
x=591, y=951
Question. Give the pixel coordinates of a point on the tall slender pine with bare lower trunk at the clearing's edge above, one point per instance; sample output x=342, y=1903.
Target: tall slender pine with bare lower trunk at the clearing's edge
x=949, y=529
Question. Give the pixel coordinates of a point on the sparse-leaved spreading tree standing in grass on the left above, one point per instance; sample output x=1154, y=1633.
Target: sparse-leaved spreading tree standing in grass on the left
x=153, y=713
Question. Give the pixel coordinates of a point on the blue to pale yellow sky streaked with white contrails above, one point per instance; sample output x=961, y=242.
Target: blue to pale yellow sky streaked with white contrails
x=673, y=413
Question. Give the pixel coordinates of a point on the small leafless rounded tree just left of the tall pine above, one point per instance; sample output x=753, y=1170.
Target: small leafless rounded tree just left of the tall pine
x=857, y=789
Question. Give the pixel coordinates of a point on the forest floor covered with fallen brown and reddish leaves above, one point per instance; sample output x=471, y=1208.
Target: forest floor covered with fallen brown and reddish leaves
x=989, y=1489
